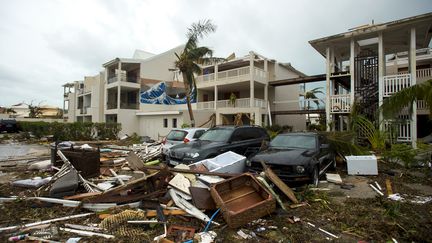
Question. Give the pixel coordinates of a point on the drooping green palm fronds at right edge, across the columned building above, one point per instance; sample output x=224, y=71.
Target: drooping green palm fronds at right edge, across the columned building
x=406, y=97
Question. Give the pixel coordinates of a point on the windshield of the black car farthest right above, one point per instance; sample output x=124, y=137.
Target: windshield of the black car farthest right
x=293, y=141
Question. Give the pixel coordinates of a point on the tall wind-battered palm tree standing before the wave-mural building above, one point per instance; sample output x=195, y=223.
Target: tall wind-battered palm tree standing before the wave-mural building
x=191, y=57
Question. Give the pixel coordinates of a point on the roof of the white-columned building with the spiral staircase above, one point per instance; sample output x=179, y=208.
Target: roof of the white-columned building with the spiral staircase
x=395, y=36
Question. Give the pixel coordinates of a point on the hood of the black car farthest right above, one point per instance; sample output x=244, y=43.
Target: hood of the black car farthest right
x=285, y=156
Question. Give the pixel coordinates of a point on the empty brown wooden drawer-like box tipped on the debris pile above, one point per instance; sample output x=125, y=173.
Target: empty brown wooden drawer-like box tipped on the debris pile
x=242, y=199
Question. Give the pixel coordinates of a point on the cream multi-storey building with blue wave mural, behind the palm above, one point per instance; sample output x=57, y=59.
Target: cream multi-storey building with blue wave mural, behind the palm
x=144, y=93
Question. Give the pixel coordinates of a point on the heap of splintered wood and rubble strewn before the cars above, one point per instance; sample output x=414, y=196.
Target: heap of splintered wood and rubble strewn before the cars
x=136, y=198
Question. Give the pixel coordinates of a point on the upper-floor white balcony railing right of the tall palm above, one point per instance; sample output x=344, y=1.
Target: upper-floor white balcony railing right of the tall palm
x=233, y=75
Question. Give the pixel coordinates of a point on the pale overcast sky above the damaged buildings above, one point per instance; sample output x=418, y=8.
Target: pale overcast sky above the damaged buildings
x=44, y=44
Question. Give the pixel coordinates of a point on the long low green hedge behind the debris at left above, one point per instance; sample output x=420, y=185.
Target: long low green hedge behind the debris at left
x=71, y=131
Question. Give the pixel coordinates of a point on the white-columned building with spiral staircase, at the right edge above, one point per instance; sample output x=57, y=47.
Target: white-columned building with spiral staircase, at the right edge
x=372, y=62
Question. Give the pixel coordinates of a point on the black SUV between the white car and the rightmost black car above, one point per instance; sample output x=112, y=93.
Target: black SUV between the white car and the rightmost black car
x=243, y=140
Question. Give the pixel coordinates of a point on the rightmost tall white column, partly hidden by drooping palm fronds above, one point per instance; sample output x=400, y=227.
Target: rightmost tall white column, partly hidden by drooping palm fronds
x=413, y=71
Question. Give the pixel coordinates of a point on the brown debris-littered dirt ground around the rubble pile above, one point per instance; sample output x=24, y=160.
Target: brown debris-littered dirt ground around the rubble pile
x=353, y=215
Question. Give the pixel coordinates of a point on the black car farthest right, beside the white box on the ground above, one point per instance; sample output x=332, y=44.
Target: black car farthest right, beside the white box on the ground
x=296, y=157
